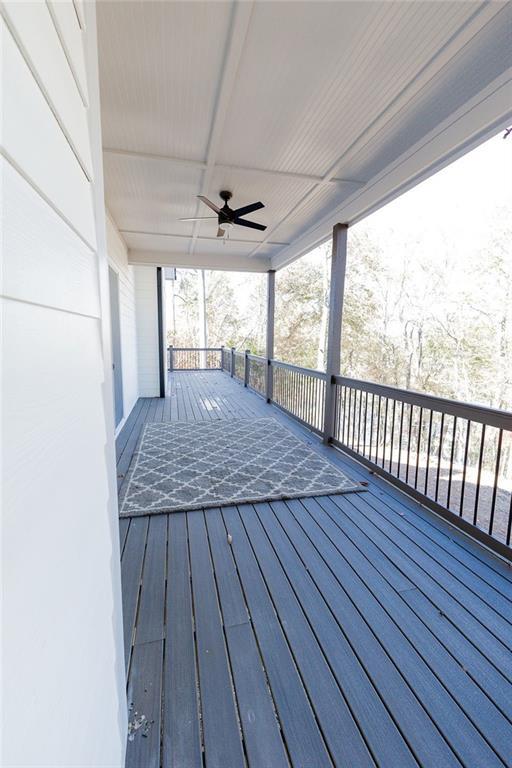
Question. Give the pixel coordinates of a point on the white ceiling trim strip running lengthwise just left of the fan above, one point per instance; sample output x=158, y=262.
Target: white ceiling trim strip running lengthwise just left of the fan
x=240, y=20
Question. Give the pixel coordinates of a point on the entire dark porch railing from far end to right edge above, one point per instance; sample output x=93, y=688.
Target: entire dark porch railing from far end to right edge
x=453, y=457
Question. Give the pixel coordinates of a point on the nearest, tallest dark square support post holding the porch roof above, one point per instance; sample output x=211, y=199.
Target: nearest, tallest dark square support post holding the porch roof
x=337, y=288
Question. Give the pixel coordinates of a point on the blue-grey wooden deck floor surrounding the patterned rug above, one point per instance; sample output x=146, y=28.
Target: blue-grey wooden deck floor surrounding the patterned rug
x=354, y=630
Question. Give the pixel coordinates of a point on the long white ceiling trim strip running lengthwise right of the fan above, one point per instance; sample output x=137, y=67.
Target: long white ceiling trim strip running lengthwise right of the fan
x=471, y=27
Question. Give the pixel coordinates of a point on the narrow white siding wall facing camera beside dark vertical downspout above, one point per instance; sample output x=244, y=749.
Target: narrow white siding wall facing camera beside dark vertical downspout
x=147, y=331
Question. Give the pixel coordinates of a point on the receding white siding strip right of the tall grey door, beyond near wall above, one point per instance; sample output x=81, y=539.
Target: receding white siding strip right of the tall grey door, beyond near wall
x=118, y=260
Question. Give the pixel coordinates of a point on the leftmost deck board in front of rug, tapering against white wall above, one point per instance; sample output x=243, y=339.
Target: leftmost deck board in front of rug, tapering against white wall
x=131, y=569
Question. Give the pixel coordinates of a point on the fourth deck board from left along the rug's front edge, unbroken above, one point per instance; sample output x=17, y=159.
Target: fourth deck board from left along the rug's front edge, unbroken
x=223, y=747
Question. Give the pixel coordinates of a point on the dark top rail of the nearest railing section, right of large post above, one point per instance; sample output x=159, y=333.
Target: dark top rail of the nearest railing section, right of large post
x=478, y=413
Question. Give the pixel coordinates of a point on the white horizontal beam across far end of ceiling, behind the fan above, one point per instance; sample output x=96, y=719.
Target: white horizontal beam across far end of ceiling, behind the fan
x=198, y=261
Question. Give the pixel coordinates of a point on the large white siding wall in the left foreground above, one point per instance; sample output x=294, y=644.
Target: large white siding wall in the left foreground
x=63, y=681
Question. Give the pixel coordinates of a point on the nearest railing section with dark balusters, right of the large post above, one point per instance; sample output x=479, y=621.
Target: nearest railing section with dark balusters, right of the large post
x=456, y=456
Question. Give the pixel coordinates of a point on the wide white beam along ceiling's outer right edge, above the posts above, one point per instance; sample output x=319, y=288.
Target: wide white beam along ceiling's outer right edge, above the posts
x=471, y=125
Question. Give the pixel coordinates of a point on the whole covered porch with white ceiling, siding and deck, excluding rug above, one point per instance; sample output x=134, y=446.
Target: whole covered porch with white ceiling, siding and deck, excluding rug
x=341, y=630
